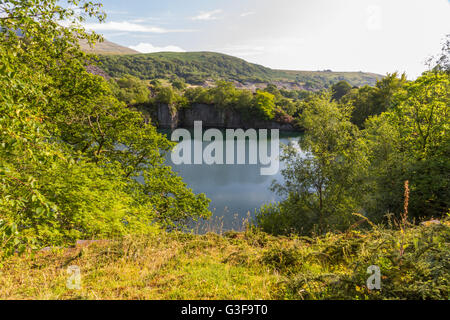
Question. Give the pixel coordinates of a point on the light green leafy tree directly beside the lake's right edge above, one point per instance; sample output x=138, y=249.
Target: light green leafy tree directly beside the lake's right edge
x=322, y=183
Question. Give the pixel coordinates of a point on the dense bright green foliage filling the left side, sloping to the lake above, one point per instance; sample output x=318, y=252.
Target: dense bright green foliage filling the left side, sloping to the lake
x=70, y=152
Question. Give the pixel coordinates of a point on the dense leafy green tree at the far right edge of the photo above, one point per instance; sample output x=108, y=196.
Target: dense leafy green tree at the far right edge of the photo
x=411, y=142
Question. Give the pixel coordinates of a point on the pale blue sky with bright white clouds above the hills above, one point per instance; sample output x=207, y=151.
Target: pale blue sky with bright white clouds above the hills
x=380, y=36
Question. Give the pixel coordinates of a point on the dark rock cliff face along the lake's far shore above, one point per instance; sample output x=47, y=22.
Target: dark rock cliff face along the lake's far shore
x=212, y=117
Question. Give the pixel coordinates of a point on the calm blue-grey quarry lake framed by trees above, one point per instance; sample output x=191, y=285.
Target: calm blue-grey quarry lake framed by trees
x=236, y=191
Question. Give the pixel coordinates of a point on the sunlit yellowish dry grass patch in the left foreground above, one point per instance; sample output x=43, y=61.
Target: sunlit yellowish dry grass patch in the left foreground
x=165, y=267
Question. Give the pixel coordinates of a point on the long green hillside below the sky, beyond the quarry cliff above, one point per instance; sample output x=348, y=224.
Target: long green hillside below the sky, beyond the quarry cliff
x=203, y=68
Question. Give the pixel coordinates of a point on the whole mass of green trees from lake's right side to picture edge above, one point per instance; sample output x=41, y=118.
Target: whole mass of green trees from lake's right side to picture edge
x=344, y=169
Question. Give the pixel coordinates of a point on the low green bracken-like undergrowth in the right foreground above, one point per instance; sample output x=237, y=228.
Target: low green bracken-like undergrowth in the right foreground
x=420, y=273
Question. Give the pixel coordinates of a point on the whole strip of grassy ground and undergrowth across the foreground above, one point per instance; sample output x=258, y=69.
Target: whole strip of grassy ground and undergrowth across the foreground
x=239, y=265
